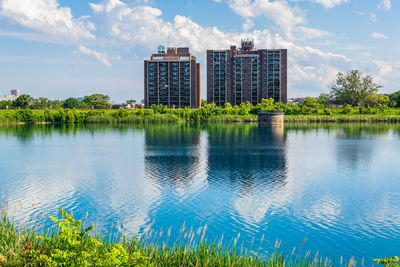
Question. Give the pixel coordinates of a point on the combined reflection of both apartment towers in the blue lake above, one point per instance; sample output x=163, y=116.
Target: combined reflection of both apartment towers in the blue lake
x=245, y=162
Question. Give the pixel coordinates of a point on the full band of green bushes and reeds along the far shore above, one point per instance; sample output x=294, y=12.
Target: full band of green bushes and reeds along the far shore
x=310, y=110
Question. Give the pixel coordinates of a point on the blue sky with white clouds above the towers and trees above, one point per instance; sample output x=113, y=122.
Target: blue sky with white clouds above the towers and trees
x=72, y=48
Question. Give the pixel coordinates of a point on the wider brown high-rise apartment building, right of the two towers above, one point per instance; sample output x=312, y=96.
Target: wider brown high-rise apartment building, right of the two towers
x=246, y=74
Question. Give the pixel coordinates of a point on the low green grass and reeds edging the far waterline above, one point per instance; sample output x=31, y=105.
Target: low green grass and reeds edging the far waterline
x=206, y=114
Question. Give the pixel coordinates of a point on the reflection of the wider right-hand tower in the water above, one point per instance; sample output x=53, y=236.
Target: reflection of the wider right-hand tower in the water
x=250, y=160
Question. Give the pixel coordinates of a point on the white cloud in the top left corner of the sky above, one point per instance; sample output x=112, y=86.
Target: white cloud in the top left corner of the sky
x=48, y=17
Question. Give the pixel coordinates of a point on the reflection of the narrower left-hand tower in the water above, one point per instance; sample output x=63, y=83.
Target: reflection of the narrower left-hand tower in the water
x=177, y=156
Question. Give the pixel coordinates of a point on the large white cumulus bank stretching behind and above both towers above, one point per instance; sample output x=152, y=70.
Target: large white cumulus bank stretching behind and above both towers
x=309, y=69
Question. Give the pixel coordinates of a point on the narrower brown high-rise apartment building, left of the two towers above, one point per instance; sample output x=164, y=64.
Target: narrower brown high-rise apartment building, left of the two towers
x=172, y=78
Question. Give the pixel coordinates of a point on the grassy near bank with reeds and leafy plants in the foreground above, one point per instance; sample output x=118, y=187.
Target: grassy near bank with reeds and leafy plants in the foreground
x=73, y=245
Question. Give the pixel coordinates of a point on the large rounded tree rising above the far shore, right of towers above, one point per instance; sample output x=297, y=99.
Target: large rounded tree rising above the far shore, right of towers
x=352, y=88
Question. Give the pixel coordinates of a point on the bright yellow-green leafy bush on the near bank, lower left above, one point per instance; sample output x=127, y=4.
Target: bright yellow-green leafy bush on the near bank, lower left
x=74, y=246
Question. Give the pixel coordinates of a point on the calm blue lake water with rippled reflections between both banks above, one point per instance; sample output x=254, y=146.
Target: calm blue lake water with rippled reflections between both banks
x=336, y=185
